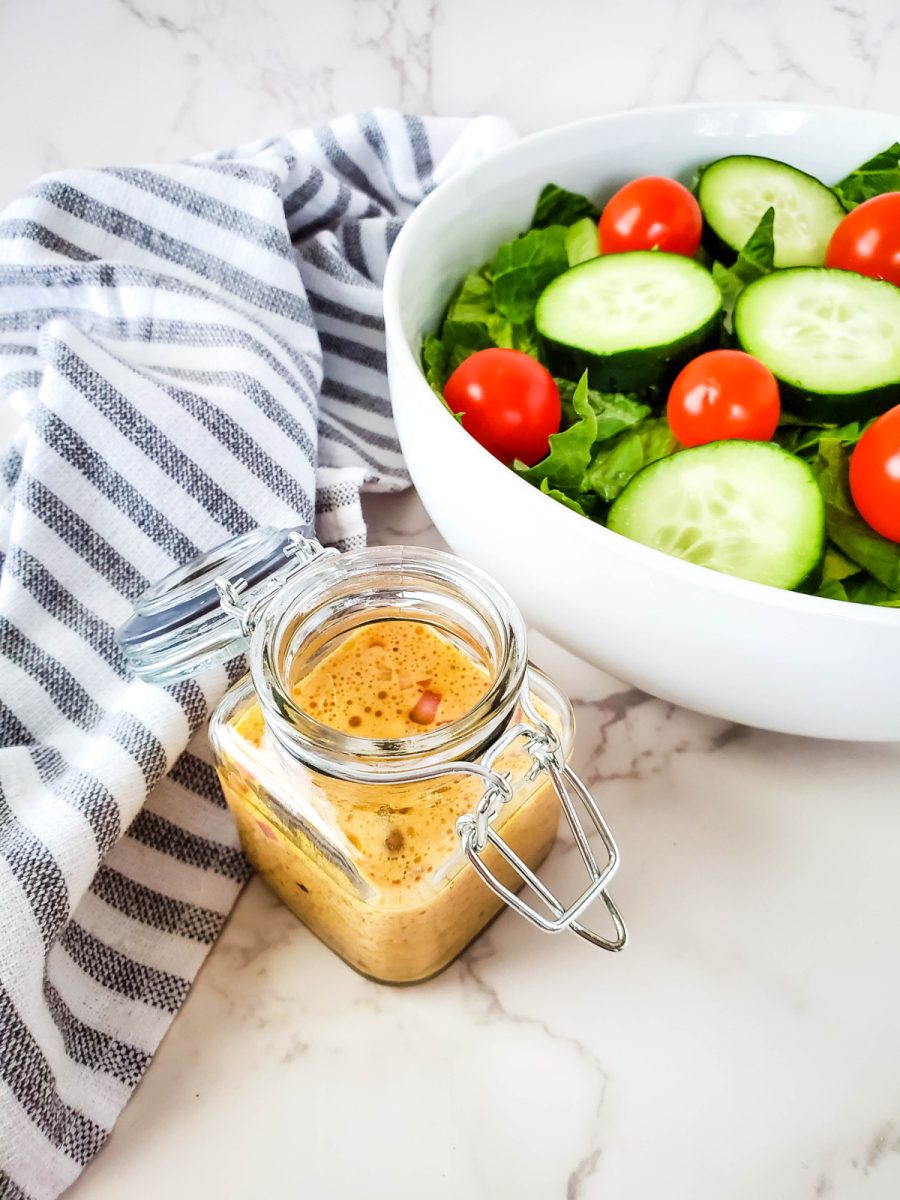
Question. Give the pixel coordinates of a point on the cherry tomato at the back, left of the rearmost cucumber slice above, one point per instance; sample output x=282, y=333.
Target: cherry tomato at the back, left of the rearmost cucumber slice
x=652, y=213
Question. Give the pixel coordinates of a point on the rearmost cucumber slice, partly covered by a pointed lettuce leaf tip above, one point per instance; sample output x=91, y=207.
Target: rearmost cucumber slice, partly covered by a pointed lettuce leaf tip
x=735, y=193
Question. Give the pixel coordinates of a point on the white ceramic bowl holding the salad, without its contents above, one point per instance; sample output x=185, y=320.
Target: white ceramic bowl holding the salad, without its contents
x=740, y=651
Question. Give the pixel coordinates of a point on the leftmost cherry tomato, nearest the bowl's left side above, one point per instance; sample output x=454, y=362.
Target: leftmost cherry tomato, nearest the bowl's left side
x=508, y=401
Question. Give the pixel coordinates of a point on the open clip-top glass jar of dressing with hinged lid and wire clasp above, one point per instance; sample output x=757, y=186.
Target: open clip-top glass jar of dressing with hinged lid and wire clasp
x=395, y=851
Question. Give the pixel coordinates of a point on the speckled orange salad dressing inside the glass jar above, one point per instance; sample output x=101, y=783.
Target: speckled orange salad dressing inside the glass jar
x=397, y=899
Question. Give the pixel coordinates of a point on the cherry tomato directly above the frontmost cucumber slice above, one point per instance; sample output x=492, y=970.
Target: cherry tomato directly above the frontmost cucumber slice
x=722, y=395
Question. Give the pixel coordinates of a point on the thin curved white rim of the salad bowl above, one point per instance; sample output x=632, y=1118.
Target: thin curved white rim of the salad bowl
x=405, y=247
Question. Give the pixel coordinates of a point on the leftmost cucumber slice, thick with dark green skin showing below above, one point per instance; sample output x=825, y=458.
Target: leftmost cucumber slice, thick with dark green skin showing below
x=631, y=321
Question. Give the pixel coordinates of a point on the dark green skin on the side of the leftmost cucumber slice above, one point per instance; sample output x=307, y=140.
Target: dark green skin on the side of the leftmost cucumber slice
x=632, y=370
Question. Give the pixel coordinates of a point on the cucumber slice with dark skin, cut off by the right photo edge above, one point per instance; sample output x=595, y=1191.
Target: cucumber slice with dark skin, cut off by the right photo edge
x=831, y=338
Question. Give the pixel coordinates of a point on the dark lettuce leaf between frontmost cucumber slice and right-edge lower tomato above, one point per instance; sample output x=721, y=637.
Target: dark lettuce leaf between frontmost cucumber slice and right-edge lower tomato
x=845, y=527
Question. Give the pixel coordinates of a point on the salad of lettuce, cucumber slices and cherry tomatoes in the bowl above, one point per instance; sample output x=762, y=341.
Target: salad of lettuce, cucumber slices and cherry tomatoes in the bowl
x=713, y=373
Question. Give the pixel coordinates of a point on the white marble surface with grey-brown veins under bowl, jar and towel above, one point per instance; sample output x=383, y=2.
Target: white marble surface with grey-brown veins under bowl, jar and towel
x=748, y=1043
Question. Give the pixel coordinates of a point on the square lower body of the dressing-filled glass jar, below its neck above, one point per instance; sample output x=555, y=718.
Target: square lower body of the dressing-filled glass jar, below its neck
x=377, y=871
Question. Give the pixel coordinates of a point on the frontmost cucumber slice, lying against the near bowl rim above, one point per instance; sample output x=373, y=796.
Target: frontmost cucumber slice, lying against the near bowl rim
x=745, y=508
